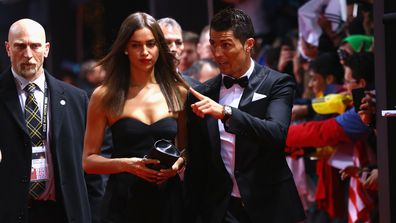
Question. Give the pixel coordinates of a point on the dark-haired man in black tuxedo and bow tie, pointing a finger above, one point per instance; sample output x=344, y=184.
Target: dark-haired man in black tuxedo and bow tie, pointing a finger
x=236, y=169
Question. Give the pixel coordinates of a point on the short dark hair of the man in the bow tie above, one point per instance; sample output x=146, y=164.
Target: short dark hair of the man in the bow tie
x=236, y=20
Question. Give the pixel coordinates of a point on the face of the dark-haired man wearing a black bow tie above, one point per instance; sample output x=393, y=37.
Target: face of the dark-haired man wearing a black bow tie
x=232, y=56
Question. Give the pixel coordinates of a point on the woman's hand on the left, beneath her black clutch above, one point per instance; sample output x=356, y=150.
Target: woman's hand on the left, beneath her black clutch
x=137, y=166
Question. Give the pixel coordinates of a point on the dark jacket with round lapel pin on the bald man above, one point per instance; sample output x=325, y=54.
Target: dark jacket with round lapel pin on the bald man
x=67, y=126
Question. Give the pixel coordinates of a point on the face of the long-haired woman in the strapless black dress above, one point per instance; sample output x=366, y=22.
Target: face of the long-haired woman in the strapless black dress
x=142, y=50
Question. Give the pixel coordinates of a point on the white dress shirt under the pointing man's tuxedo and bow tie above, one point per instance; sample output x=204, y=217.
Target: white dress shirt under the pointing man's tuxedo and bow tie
x=231, y=97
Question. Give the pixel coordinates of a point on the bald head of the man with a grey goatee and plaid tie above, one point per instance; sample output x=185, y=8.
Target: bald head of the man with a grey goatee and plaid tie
x=27, y=48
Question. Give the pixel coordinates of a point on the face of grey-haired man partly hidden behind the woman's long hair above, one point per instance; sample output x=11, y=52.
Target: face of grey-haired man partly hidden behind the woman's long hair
x=174, y=39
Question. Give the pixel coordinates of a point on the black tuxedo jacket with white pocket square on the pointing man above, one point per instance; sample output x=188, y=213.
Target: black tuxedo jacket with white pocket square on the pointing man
x=264, y=179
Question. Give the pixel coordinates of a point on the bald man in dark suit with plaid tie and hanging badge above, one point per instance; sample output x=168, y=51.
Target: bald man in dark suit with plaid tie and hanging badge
x=41, y=136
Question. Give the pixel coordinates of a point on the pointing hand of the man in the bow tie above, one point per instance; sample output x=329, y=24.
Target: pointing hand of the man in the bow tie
x=206, y=106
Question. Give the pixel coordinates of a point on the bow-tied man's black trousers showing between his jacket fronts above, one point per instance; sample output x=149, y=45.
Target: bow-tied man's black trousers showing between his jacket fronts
x=236, y=212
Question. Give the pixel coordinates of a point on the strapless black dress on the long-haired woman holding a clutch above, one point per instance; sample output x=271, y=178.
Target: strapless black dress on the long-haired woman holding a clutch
x=129, y=198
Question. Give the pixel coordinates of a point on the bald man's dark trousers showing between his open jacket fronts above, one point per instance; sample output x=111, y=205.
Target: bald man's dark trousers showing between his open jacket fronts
x=46, y=212
